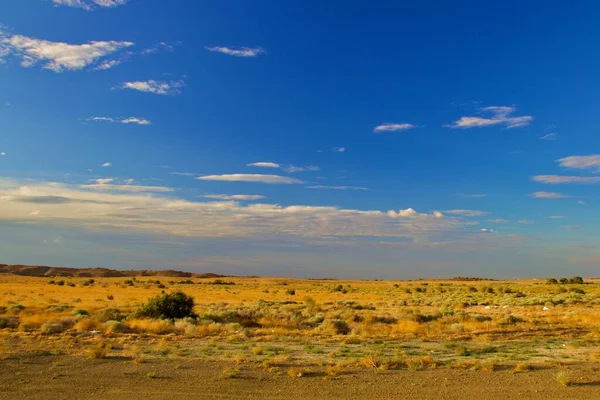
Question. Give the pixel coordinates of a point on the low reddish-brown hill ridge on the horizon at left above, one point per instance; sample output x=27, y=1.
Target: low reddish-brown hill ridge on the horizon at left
x=40, y=270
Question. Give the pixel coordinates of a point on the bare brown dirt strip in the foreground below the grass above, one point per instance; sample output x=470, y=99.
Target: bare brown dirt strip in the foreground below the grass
x=65, y=377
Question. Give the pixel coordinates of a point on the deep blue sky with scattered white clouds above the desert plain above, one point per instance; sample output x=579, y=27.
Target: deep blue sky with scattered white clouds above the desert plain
x=347, y=139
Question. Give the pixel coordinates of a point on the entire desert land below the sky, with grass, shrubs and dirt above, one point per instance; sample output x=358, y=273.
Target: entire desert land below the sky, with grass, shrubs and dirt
x=276, y=337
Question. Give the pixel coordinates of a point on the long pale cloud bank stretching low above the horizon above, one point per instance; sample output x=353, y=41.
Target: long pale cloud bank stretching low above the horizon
x=123, y=210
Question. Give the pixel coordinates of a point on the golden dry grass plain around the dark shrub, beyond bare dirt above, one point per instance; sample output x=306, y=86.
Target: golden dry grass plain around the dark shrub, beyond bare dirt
x=245, y=321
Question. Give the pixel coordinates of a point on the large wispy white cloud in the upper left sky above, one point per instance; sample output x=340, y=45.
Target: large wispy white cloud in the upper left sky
x=59, y=56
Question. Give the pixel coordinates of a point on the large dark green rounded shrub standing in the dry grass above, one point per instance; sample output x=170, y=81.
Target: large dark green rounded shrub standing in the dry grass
x=175, y=305
